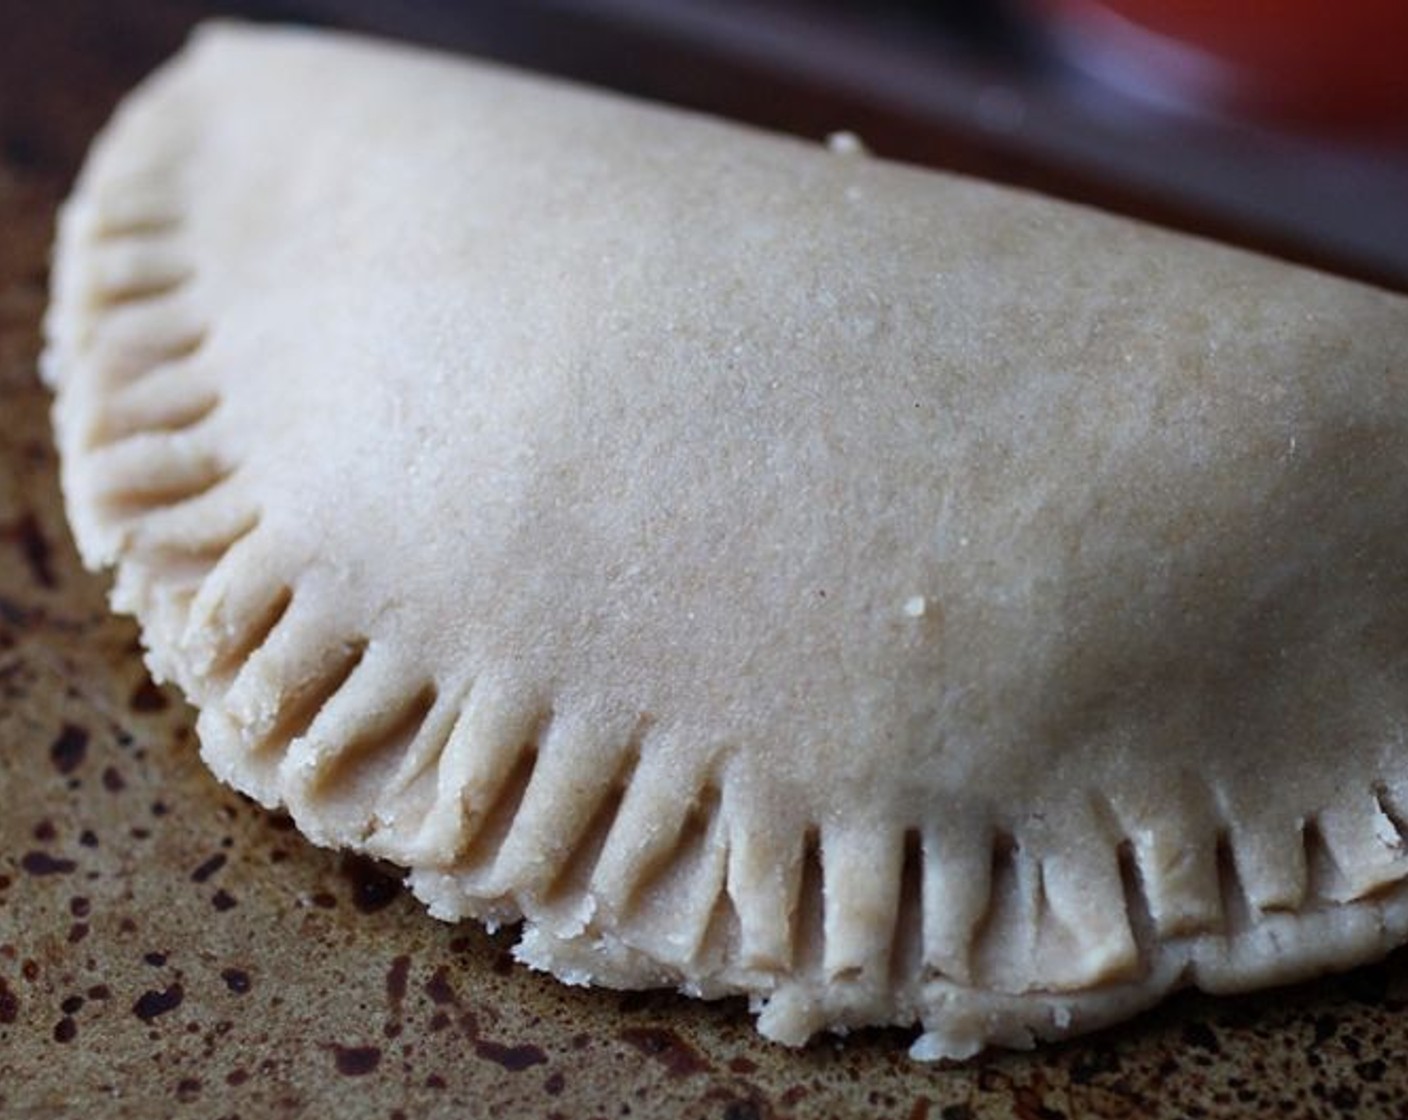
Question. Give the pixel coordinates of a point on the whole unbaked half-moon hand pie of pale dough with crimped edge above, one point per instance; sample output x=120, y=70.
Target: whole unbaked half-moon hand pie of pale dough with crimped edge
x=758, y=568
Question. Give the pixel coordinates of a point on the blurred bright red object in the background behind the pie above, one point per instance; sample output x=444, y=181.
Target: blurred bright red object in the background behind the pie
x=1320, y=64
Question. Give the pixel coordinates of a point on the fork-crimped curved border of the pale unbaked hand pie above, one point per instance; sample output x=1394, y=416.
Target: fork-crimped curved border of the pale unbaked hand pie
x=460, y=781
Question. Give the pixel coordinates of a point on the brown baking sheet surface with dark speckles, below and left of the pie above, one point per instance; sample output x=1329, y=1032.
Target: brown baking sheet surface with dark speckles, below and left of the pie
x=170, y=949
